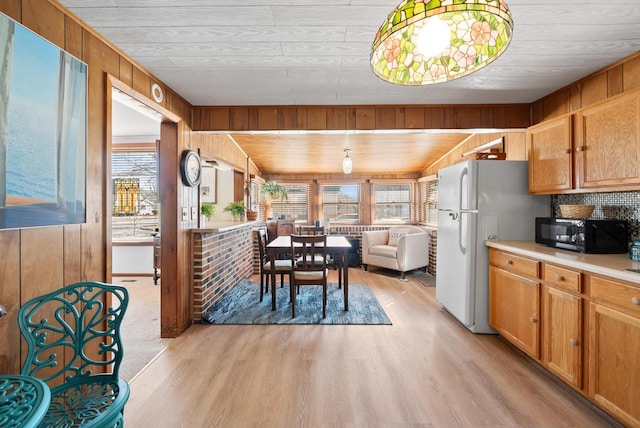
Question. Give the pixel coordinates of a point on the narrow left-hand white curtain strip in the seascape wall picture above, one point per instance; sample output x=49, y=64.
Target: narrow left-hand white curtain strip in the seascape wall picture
x=6, y=53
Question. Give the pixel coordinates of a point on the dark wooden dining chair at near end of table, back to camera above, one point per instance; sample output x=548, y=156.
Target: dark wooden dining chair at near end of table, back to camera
x=311, y=252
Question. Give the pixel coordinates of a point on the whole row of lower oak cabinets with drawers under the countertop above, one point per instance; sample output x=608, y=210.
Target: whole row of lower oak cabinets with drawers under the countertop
x=584, y=328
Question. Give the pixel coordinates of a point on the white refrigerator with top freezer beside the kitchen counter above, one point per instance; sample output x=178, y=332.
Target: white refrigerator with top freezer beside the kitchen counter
x=479, y=200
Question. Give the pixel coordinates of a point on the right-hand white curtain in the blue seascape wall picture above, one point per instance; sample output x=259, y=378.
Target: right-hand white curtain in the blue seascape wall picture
x=71, y=134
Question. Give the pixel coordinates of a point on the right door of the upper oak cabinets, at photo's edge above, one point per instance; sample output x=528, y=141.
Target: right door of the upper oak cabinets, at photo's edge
x=608, y=149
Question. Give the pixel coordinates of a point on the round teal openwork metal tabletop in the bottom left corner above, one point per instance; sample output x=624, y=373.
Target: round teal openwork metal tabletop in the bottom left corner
x=24, y=401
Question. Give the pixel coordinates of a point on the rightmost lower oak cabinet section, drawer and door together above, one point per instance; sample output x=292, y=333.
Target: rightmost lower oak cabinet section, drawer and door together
x=614, y=348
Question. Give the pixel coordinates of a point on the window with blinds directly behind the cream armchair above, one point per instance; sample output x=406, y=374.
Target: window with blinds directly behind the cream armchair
x=392, y=203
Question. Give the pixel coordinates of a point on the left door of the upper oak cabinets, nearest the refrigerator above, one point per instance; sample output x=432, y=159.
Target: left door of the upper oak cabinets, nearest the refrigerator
x=550, y=147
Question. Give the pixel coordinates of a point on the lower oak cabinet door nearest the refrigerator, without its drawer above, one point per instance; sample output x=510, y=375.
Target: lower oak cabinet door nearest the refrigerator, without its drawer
x=514, y=309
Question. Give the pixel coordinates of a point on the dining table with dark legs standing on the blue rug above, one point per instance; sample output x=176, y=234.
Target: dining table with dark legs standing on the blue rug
x=336, y=245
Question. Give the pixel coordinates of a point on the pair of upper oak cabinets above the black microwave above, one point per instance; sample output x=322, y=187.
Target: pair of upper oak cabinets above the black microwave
x=595, y=149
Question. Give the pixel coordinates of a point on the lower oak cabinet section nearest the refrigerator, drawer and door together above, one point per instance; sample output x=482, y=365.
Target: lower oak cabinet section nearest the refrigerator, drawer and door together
x=514, y=300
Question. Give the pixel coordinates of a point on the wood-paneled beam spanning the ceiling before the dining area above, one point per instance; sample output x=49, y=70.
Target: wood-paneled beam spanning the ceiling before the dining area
x=360, y=117
